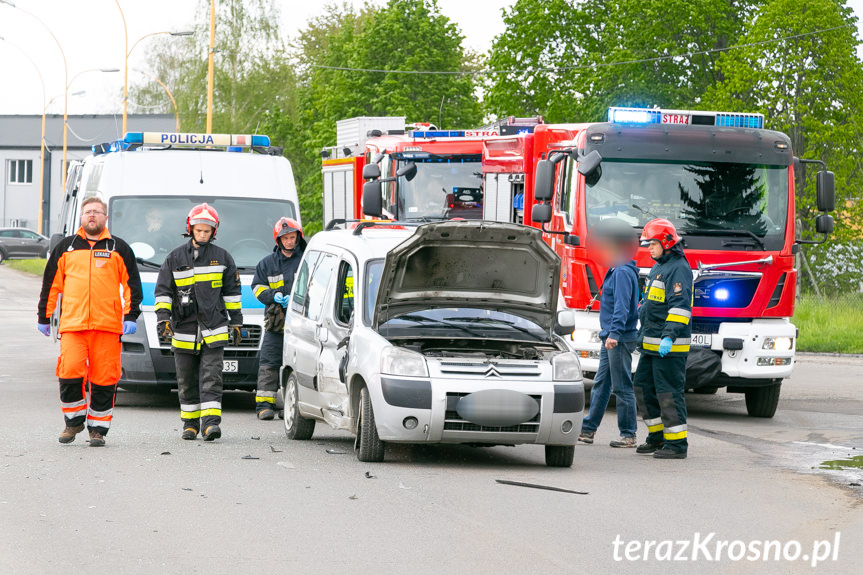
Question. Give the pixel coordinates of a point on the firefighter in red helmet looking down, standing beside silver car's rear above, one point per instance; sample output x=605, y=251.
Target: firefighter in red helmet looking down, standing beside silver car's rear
x=274, y=277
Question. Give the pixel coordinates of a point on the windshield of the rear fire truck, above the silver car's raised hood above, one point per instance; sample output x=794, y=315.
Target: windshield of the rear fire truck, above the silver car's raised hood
x=445, y=187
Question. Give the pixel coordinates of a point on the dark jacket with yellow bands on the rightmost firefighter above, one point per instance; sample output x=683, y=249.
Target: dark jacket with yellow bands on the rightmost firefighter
x=666, y=310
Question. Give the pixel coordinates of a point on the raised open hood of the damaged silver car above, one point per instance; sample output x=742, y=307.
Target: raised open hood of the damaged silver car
x=471, y=264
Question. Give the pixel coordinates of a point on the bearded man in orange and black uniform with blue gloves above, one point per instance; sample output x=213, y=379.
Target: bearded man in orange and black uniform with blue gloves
x=98, y=278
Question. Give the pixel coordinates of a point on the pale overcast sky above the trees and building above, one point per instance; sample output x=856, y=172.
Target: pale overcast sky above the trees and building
x=90, y=33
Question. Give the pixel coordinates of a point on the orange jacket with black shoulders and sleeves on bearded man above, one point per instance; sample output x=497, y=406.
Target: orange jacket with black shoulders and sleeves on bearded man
x=100, y=284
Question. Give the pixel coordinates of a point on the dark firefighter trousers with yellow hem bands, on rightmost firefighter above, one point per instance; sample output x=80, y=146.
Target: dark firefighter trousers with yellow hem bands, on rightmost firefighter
x=659, y=384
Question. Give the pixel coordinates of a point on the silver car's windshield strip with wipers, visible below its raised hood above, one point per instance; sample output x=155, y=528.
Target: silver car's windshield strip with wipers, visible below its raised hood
x=452, y=322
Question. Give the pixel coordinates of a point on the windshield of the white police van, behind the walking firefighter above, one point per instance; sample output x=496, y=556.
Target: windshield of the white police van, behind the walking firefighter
x=154, y=225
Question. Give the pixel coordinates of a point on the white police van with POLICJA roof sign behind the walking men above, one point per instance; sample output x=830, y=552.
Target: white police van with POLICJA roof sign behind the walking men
x=150, y=181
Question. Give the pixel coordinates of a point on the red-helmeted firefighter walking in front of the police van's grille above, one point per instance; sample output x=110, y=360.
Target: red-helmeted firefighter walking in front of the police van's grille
x=198, y=309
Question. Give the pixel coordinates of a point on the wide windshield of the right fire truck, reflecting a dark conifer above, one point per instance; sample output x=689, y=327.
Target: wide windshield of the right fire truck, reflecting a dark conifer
x=714, y=205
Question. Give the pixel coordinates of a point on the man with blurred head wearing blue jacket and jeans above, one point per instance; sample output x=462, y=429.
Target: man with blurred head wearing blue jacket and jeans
x=615, y=242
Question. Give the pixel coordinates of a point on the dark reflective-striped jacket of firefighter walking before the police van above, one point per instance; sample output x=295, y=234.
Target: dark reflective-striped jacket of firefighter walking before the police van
x=199, y=290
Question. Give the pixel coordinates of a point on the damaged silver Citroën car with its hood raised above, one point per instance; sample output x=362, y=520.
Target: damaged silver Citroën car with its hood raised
x=442, y=333
